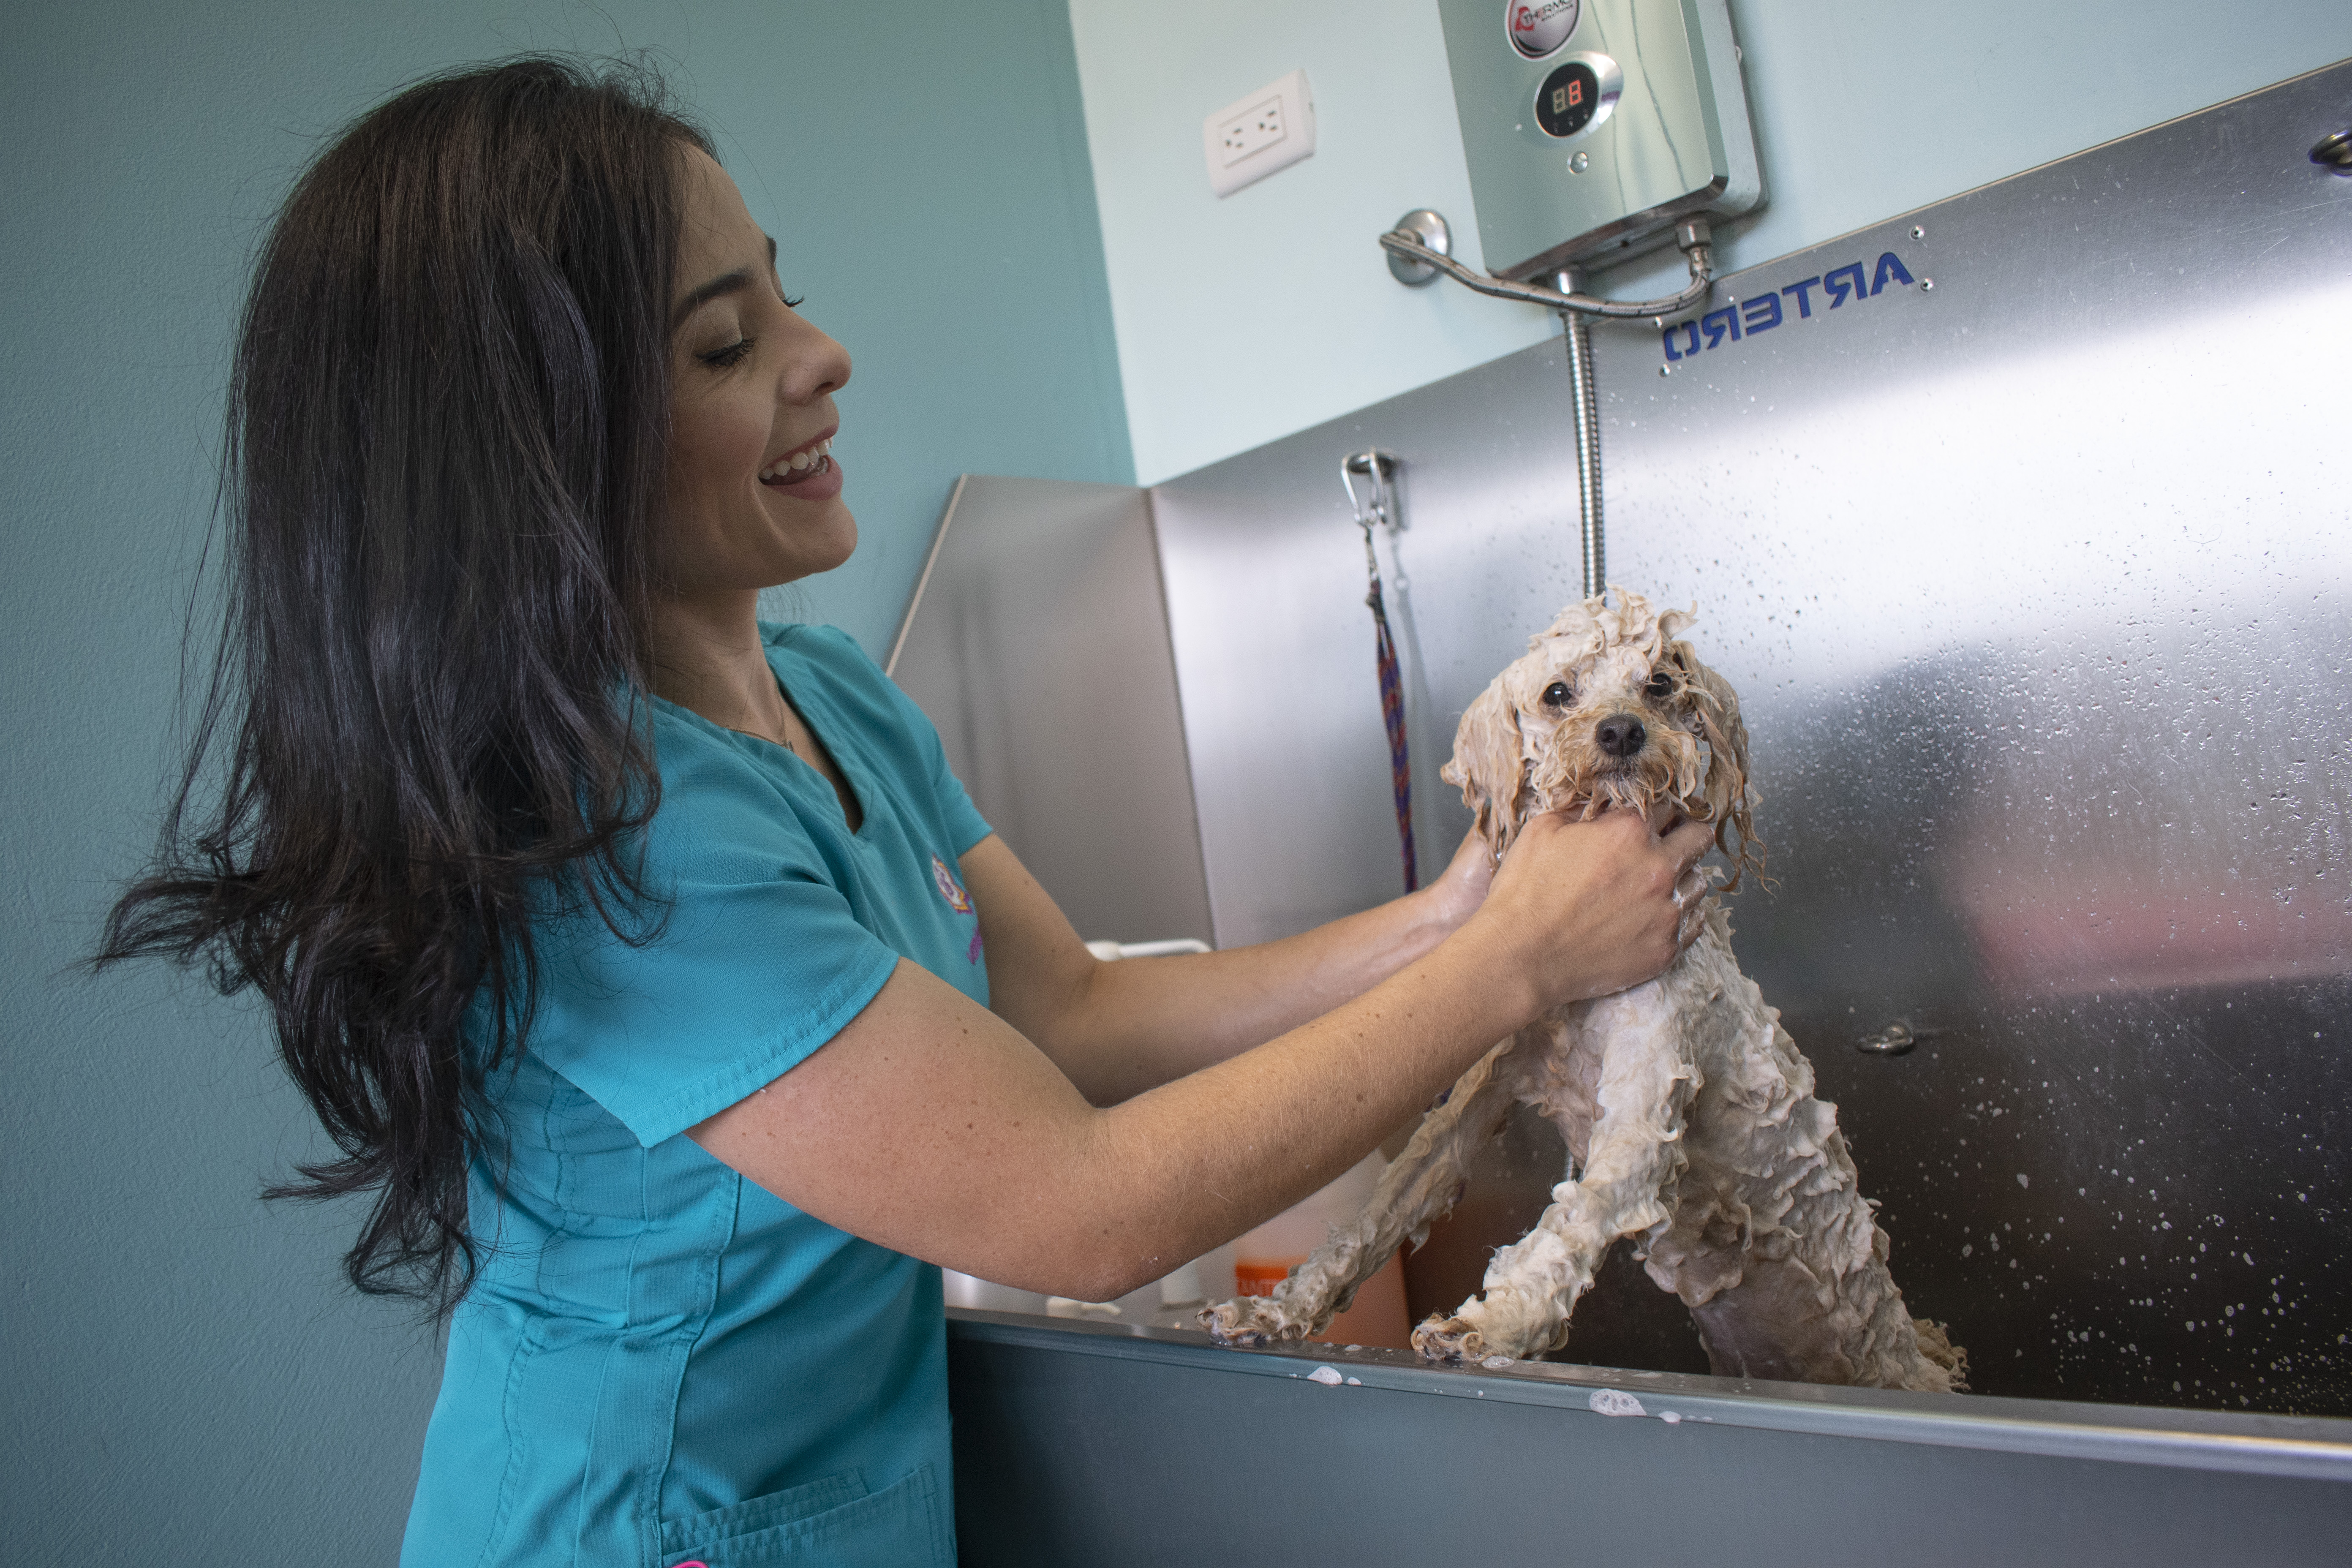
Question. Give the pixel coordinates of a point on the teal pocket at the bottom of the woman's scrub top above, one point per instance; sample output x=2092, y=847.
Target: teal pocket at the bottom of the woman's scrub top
x=824, y=1525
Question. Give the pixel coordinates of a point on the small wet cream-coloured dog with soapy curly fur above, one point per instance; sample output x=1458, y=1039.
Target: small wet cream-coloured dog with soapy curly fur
x=1688, y=1111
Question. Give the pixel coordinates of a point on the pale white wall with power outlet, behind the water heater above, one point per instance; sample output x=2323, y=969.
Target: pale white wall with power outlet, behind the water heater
x=1269, y=311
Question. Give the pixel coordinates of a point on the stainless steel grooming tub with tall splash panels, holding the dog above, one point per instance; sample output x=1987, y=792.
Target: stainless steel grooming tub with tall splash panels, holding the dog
x=2022, y=525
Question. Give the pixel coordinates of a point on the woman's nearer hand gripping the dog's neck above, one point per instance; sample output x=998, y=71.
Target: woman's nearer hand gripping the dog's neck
x=1589, y=909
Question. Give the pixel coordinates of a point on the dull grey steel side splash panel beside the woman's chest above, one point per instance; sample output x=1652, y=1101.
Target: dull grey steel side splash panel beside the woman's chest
x=1041, y=648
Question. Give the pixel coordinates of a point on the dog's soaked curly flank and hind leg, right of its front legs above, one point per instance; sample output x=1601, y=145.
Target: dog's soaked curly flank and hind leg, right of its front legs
x=1772, y=1242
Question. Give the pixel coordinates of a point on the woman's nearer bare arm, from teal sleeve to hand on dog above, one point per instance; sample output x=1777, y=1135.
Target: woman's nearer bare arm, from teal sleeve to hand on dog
x=933, y=1127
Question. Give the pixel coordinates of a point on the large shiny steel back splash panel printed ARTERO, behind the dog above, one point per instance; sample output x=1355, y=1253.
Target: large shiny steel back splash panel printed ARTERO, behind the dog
x=2038, y=589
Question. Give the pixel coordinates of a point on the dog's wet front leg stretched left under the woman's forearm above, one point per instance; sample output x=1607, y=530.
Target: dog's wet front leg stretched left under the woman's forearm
x=1415, y=1193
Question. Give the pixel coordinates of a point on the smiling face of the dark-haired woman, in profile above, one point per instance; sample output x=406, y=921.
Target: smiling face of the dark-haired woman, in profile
x=754, y=495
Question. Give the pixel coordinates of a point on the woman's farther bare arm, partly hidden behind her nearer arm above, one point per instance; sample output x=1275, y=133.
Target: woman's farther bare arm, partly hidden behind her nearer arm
x=1137, y=1024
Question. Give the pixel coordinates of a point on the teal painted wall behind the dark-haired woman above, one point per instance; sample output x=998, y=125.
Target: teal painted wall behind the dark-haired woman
x=187, y=1379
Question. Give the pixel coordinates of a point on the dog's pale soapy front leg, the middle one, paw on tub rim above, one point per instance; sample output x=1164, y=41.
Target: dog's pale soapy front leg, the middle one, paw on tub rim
x=1626, y=1186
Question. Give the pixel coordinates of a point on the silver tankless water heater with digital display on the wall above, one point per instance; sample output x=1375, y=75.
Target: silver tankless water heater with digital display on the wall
x=1596, y=126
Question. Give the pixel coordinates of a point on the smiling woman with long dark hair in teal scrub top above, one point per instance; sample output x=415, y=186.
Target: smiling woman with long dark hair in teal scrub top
x=646, y=963
